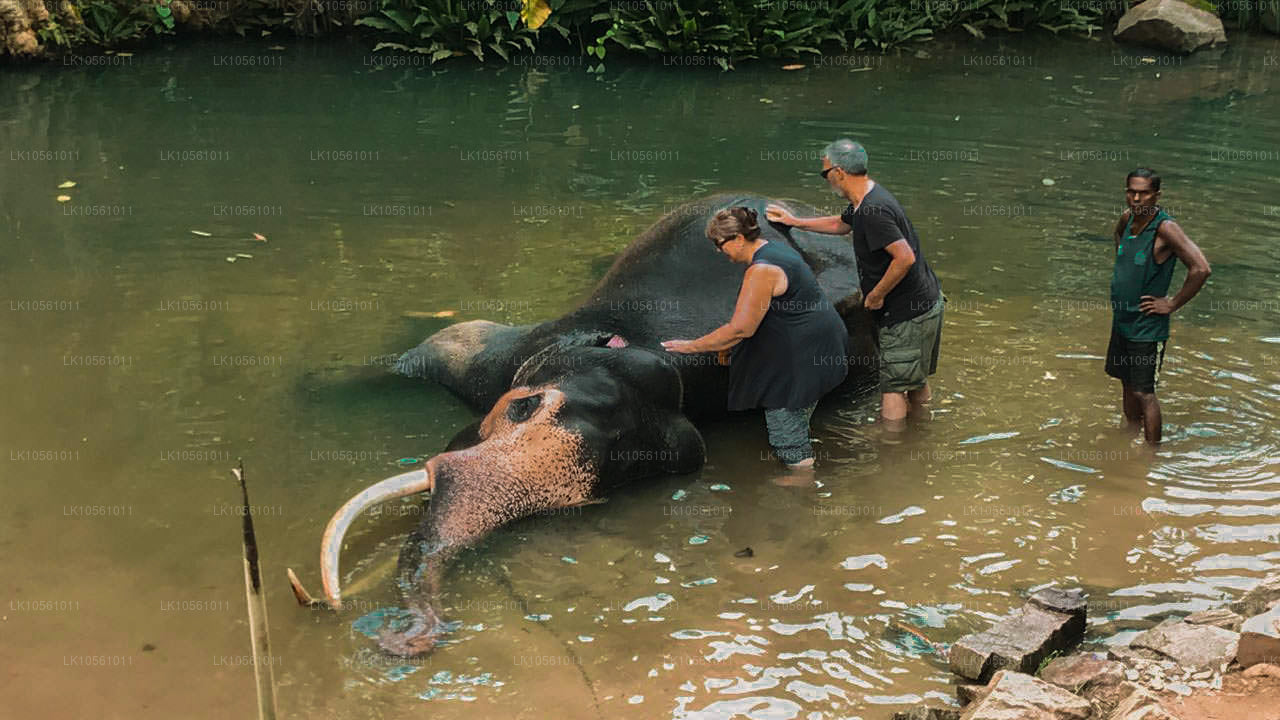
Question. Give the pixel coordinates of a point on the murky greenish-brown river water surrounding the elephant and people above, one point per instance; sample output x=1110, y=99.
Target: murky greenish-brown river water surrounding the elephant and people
x=504, y=194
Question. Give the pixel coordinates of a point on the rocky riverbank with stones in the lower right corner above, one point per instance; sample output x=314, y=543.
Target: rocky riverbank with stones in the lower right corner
x=1220, y=663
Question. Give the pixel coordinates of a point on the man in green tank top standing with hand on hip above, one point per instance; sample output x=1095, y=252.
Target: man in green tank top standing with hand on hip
x=1148, y=239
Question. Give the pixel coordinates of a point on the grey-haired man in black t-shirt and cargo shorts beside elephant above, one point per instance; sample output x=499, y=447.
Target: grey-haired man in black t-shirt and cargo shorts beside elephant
x=899, y=288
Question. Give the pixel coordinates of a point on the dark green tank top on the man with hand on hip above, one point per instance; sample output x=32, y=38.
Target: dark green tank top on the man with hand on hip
x=1136, y=275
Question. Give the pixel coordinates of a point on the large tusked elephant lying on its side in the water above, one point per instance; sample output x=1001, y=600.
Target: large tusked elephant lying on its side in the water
x=587, y=403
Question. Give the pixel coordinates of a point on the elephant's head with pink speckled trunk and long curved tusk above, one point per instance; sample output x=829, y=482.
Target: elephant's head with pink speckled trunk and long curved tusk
x=577, y=422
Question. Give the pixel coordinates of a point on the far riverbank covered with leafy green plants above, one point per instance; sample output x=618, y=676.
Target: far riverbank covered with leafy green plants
x=724, y=34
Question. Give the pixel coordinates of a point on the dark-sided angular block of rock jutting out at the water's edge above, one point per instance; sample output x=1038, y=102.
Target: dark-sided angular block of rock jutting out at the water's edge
x=1018, y=642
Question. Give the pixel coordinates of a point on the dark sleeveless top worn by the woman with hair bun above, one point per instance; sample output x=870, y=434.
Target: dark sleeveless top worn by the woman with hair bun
x=801, y=350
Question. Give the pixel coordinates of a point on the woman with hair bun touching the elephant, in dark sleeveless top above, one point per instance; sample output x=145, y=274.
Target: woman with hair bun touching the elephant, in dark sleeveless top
x=789, y=344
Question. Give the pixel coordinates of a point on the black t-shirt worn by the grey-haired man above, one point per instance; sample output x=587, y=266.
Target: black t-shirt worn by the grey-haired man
x=879, y=222
